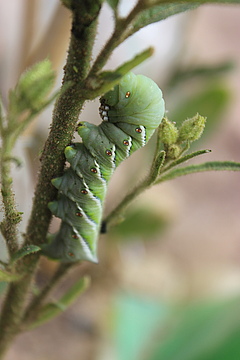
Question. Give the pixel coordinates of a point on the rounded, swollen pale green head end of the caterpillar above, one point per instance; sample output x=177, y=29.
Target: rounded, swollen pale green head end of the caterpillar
x=136, y=100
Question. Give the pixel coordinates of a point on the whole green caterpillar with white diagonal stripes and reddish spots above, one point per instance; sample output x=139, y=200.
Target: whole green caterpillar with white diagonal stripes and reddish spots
x=131, y=112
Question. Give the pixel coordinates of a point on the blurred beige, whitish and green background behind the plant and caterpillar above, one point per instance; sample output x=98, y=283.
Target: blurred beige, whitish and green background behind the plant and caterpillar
x=167, y=284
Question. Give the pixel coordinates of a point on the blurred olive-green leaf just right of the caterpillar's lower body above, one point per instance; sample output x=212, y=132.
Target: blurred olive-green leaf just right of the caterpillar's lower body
x=140, y=223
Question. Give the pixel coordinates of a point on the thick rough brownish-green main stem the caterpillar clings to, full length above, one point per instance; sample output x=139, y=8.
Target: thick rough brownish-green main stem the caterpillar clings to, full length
x=65, y=116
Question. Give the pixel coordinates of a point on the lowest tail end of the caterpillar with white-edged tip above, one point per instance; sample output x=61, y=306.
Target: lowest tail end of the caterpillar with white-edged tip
x=66, y=252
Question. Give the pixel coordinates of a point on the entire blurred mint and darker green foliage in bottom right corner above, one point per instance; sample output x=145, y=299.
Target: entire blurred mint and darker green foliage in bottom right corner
x=148, y=329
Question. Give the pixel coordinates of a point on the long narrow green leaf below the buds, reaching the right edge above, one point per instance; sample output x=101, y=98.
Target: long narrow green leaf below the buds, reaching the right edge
x=208, y=166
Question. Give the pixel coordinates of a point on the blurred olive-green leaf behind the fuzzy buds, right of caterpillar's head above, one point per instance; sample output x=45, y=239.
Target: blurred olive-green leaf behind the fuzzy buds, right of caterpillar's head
x=211, y=102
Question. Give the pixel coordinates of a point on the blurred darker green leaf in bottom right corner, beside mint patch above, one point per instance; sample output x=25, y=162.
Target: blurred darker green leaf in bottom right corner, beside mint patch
x=207, y=331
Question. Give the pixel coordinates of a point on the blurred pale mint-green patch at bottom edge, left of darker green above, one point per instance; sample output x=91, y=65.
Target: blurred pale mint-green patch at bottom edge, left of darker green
x=135, y=320
